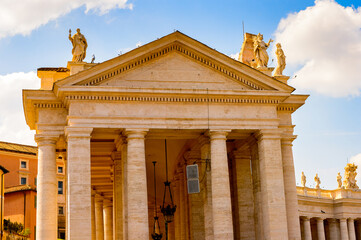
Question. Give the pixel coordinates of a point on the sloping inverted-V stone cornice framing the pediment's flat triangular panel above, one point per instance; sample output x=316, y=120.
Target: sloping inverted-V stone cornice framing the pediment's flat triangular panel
x=181, y=44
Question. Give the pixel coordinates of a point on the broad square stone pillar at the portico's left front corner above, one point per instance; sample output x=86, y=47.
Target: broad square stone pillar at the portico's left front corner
x=79, y=183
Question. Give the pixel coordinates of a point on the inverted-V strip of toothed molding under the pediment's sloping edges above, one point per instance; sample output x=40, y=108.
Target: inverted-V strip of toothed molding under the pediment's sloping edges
x=175, y=47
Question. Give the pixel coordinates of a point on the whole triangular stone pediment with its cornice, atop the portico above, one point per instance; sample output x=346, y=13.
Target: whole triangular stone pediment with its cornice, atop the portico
x=175, y=61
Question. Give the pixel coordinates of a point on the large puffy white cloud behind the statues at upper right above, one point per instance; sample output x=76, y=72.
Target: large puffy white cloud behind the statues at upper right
x=323, y=47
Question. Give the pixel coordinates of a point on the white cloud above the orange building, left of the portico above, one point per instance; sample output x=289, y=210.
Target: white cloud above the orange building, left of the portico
x=12, y=121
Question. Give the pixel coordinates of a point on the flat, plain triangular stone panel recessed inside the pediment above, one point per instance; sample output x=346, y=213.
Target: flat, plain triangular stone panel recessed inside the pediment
x=174, y=71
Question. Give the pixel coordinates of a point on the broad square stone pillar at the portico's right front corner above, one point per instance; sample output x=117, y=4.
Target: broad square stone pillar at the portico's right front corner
x=272, y=185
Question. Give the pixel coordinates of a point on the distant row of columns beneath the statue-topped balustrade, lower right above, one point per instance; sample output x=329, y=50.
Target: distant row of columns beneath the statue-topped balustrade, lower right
x=329, y=228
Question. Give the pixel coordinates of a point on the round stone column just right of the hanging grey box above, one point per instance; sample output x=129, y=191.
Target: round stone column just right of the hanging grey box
x=221, y=194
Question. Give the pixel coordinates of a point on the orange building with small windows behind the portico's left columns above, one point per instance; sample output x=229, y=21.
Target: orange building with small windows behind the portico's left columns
x=20, y=186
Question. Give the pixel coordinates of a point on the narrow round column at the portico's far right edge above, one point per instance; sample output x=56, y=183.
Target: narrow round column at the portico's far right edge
x=293, y=222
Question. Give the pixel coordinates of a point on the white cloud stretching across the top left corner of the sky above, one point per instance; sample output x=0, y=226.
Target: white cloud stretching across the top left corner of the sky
x=23, y=16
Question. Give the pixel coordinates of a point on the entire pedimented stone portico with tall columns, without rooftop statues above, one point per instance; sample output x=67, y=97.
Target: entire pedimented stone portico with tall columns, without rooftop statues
x=110, y=120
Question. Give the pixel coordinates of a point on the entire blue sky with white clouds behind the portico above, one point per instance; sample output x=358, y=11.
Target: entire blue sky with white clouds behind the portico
x=321, y=40
